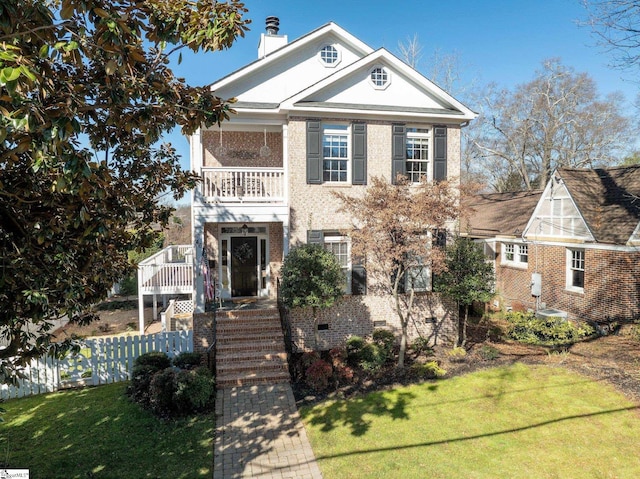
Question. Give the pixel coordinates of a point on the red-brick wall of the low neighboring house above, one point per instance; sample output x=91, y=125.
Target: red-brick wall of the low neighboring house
x=611, y=283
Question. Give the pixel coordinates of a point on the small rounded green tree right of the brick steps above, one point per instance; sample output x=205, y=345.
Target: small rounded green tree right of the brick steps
x=311, y=278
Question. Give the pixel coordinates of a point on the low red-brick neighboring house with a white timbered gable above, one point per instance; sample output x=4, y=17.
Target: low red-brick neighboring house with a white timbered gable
x=580, y=235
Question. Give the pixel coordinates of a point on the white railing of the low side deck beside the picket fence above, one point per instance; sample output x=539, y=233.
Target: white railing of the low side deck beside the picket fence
x=169, y=271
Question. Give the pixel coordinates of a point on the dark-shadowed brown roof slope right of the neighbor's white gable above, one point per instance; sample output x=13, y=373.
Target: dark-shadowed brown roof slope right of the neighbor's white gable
x=608, y=199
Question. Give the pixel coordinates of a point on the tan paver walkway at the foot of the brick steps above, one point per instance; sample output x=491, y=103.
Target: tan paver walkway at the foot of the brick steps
x=259, y=434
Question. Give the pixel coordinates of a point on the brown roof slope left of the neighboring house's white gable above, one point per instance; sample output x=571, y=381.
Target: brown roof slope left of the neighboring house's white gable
x=499, y=214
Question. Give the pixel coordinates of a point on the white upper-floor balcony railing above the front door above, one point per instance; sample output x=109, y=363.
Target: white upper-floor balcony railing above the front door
x=243, y=185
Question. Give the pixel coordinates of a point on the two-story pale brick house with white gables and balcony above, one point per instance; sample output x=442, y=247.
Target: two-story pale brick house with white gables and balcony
x=323, y=113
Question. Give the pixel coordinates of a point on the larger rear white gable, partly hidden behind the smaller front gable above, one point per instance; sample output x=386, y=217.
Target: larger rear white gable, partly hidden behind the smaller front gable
x=292, y=68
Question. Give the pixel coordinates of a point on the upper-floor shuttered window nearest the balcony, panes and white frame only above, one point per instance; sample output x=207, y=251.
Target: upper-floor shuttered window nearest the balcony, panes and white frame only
x=335, y=153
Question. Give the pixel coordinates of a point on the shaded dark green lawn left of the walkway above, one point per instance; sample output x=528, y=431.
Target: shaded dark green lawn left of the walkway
x=98, y=433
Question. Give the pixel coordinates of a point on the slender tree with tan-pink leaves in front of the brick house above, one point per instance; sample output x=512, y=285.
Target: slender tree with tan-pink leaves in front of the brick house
x=393, y=228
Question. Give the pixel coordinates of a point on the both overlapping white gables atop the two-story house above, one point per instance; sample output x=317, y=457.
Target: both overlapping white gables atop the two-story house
x=292, y=80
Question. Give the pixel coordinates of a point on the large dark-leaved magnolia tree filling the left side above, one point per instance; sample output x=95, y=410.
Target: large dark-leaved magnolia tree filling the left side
x=86, y=94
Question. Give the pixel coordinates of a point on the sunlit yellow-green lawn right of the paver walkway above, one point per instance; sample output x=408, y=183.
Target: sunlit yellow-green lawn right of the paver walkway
x=509, y=422
